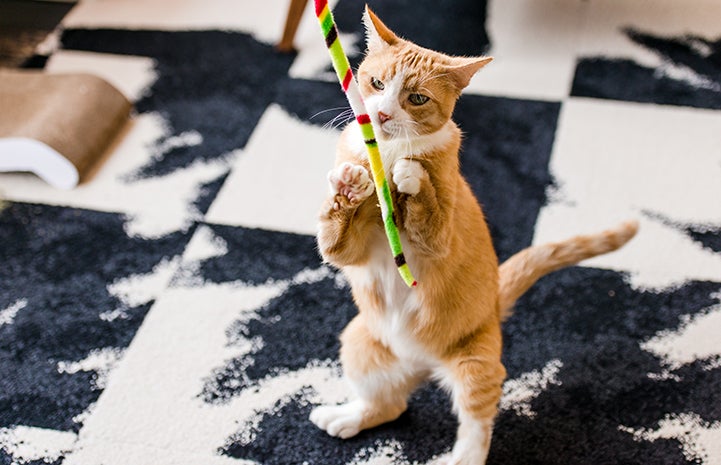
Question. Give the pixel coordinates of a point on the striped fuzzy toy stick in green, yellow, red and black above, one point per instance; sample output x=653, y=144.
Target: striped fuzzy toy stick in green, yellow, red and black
x=352, y=93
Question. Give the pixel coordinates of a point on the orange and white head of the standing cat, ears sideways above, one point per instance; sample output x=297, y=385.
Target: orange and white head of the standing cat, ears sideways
x=410, y=90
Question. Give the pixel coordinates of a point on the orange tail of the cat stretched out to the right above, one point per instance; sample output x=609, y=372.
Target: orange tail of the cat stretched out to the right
x=522, y=270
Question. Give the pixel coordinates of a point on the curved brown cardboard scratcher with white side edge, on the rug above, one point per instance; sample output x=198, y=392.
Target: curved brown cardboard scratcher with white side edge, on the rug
x=57, y=126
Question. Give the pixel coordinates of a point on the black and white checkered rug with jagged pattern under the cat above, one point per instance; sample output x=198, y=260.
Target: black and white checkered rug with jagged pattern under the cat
x=174, y=310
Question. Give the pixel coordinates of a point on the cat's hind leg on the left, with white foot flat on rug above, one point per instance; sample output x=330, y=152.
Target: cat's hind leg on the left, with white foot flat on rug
x=381, y=385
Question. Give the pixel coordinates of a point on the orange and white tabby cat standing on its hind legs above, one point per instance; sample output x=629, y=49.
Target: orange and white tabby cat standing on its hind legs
x=448, y=328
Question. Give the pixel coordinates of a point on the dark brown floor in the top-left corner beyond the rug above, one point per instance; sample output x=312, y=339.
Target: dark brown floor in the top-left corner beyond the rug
x=23, y=25
